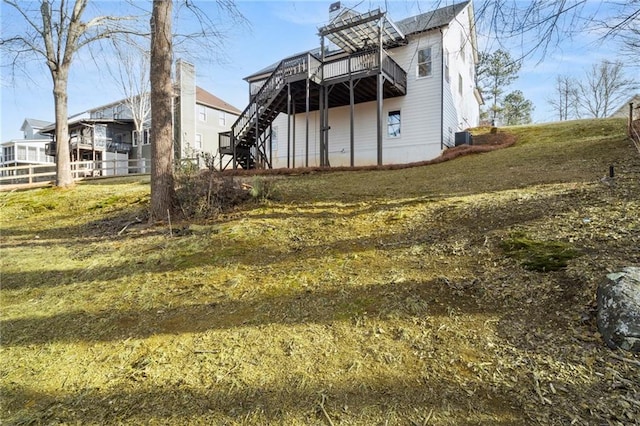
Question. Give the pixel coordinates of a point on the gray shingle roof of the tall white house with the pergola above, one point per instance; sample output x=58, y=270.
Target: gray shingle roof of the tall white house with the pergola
x=412, y=25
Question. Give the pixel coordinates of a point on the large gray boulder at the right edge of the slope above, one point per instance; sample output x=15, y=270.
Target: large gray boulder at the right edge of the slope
x=619, y=309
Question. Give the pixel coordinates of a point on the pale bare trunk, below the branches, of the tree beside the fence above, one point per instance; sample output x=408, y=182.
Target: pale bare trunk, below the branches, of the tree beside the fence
x=64, y=178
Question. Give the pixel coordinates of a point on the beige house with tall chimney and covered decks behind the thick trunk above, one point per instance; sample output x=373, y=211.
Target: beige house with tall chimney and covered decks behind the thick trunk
x=107, y=134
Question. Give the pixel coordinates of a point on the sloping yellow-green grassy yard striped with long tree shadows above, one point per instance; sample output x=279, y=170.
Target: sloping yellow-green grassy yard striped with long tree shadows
x=351, y=298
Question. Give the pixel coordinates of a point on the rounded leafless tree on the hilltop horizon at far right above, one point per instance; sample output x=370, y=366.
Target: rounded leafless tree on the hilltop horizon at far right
x=604, y=87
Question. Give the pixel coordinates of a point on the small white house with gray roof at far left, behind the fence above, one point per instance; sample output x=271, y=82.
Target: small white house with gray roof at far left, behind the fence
x=28, y=151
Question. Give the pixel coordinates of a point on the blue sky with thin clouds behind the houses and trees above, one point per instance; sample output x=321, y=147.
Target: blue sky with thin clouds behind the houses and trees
x=272, y=31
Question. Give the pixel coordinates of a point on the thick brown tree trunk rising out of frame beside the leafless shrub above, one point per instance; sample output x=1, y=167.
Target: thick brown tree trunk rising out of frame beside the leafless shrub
x=163, y=197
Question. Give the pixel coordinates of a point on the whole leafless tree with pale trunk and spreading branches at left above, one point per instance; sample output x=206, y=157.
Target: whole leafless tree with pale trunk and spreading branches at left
x=56, y=31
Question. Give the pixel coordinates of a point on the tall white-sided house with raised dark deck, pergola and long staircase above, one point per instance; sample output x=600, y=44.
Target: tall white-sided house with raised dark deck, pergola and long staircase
x=376, y=92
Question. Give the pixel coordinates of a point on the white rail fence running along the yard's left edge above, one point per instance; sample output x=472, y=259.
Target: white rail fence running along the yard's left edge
x=45, y=173
